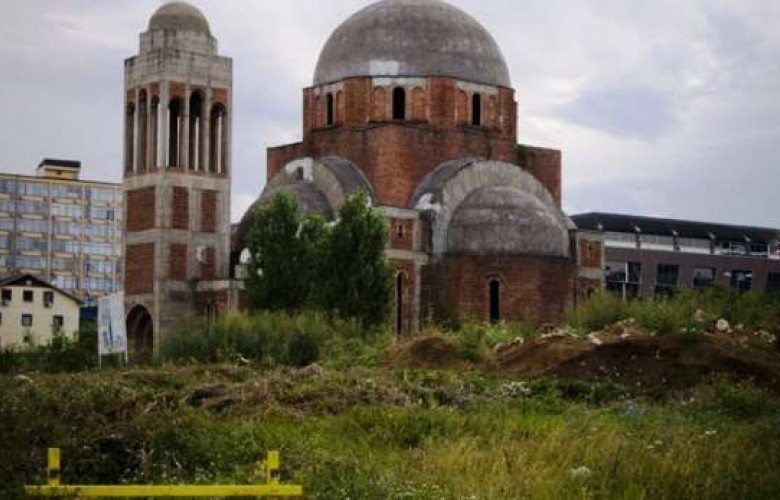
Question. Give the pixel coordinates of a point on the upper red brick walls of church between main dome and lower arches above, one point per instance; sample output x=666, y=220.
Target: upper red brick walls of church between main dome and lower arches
x=395, y=156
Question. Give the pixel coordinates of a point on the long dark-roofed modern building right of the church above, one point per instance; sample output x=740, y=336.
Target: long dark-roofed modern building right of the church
x=647, y=256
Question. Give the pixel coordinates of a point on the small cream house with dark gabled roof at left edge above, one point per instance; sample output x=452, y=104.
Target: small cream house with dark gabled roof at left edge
x=33, y=310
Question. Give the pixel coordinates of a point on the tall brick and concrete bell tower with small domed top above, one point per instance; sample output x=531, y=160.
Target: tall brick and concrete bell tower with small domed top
x=177, y=127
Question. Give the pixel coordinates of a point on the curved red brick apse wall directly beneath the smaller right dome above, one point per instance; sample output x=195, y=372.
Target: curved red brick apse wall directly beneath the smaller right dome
x=534, y=289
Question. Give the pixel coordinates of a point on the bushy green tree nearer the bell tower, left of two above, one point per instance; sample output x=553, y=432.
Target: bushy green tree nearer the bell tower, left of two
x=285, y=255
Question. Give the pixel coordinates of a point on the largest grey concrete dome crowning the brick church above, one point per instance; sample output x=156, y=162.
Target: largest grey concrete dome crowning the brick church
x=412, y=38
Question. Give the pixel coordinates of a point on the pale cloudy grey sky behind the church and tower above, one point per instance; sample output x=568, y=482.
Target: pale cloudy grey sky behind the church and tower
x=666, y=108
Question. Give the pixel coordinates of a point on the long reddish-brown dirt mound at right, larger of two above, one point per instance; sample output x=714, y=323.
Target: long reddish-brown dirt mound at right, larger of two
x=651, y=364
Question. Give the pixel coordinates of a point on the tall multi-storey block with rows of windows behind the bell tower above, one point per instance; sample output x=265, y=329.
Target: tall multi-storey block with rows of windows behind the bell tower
x=61, y=229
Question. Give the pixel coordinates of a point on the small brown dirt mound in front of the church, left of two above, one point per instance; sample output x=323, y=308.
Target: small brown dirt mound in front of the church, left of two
x=434, y=352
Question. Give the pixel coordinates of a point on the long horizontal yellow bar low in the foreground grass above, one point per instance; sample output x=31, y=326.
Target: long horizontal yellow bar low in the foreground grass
x=279, y=490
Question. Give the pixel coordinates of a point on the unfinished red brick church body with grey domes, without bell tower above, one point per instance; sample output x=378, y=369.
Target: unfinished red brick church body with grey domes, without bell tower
x=411, y=101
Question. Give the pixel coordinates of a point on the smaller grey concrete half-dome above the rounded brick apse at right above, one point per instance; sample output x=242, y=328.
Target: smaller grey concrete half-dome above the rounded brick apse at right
x=506, y=220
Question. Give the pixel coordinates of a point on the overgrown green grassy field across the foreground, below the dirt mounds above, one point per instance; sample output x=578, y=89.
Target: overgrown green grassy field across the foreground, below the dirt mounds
x=381, y=433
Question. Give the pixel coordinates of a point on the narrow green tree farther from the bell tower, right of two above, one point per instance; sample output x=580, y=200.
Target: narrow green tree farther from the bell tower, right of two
x=357, y=278
